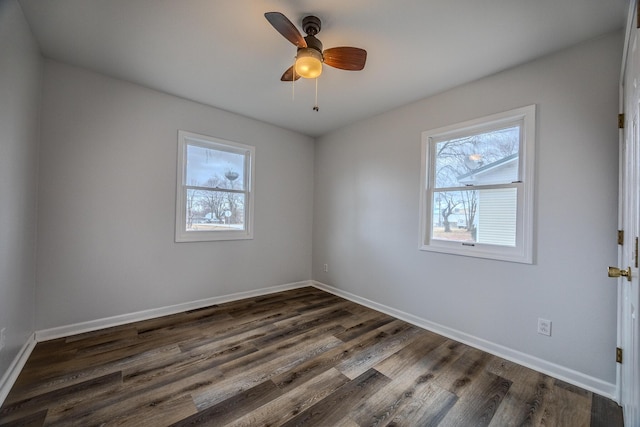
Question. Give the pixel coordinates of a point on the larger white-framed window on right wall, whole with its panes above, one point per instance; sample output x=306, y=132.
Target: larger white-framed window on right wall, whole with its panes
x=477, y=187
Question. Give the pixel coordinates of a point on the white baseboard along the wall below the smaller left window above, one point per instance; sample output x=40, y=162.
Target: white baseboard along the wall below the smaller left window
x=108, y=322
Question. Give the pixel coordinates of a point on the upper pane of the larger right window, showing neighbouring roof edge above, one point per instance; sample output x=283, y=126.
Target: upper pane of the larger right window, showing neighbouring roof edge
x=480, y=159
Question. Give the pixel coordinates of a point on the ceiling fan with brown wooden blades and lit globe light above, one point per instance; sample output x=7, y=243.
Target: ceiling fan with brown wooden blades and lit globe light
x=310, y=56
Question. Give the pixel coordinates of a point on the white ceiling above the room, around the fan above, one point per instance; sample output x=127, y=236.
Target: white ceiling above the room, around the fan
x=225, y=54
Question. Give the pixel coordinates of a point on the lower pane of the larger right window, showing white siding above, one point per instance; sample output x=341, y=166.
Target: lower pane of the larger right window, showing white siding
x=487, y=216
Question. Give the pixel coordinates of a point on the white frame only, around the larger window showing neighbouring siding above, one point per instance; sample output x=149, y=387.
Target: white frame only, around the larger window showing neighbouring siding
x=522, y=252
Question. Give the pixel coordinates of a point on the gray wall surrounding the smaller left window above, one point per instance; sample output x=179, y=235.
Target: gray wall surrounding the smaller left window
x=107, y=202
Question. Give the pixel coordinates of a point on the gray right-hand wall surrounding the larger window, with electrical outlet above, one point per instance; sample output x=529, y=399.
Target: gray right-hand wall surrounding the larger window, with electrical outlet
x=366, y=213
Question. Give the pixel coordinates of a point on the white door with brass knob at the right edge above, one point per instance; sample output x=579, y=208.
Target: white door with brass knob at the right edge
x=628, y=290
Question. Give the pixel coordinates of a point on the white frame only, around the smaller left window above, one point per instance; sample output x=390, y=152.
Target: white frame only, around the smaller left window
x=189, y=138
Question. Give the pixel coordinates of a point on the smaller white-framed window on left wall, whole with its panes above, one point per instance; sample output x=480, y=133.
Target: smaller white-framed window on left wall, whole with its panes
x=214, y=199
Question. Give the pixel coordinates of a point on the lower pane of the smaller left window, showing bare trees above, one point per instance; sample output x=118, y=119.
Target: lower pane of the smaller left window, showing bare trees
x=214, y=210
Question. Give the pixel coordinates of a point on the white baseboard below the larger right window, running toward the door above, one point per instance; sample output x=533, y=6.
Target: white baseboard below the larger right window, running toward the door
x=568, y=375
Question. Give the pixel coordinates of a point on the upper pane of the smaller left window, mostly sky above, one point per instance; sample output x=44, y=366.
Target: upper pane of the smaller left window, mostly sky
x=207, y=167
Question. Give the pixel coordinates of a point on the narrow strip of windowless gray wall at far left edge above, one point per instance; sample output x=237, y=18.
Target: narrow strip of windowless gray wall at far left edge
x=20, y=83
